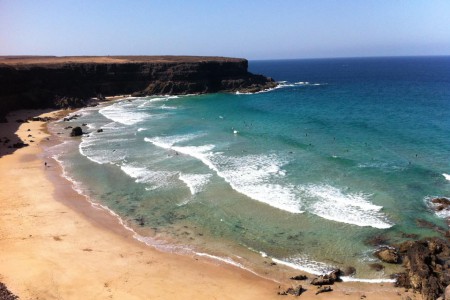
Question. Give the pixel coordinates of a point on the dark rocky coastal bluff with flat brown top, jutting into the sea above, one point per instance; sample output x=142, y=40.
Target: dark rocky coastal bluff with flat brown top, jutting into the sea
x=50, y=81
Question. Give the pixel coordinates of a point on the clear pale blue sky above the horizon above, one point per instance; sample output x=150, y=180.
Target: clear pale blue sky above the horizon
x=236, y=28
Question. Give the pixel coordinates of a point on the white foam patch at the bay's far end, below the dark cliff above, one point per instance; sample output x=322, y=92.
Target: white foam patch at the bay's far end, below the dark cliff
x=123, y=113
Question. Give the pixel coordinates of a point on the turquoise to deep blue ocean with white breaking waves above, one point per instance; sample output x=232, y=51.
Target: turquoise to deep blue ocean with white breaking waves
x=303, y=176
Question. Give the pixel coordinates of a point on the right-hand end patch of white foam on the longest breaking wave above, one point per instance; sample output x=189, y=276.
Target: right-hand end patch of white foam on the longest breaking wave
x=351, y=208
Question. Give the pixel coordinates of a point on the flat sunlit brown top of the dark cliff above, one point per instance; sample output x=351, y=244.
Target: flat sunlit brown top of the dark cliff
x=19, y=61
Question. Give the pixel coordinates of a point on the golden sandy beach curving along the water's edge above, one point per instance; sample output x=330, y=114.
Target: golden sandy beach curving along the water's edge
x=55, y=245
